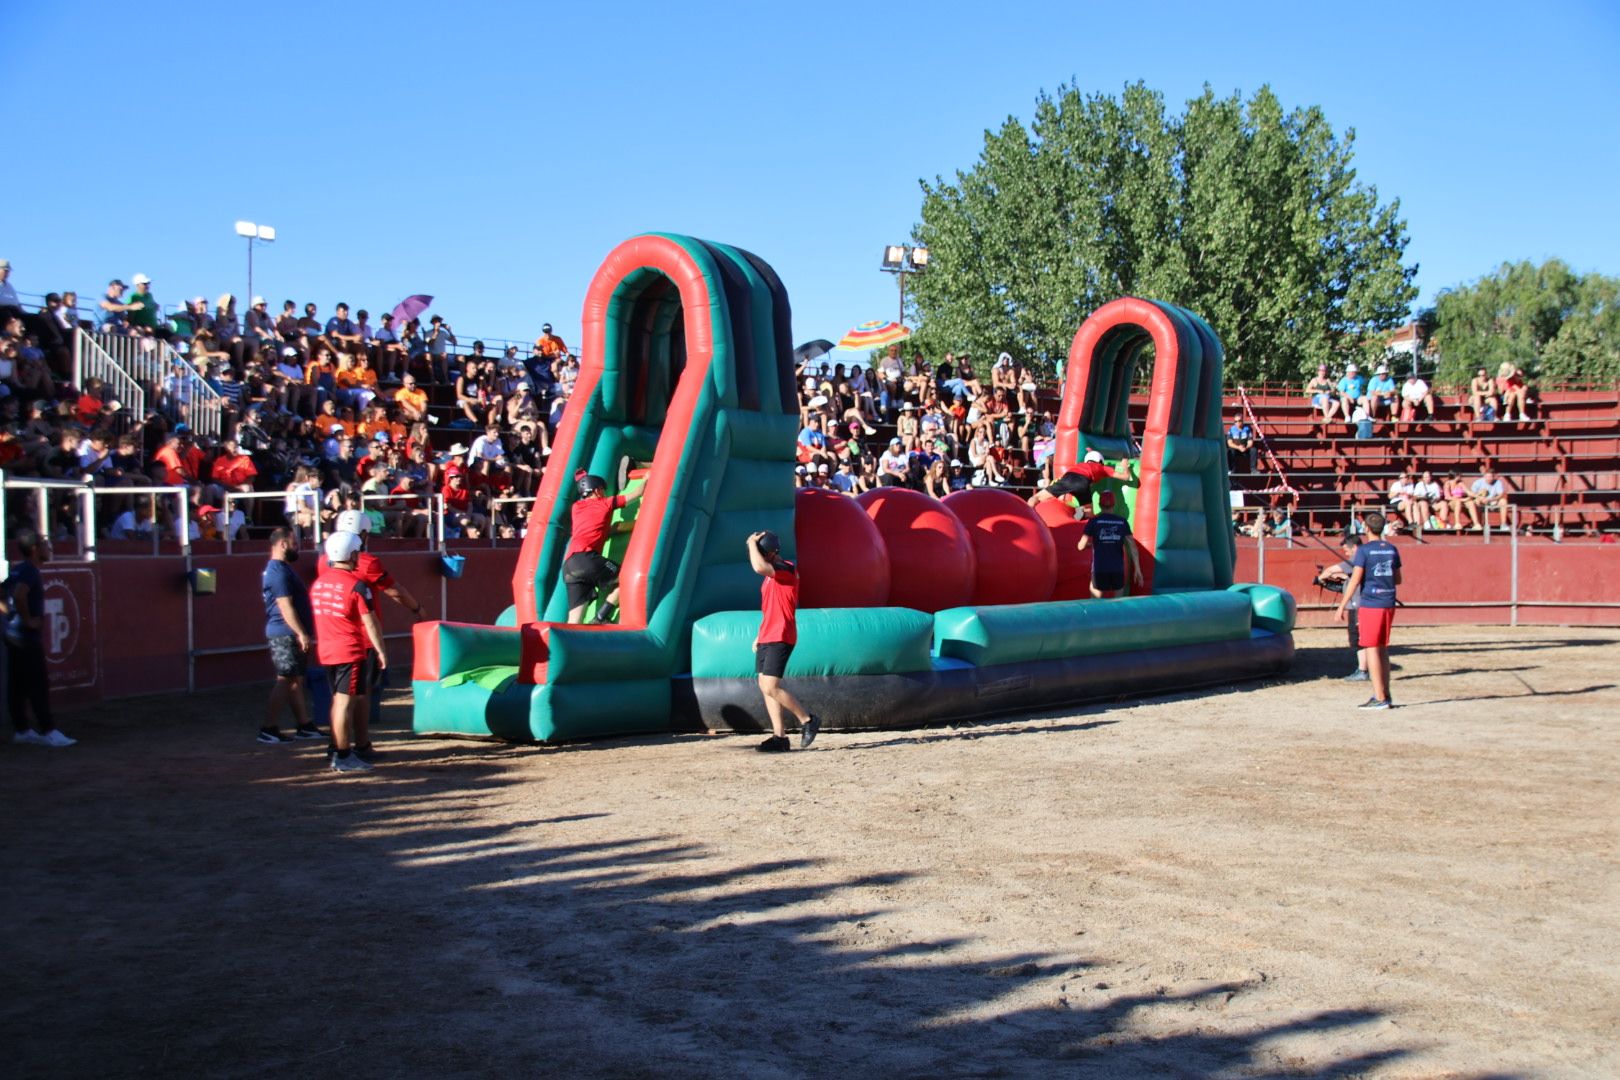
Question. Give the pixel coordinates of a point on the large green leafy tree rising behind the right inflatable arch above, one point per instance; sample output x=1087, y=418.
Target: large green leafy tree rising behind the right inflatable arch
x=1238, y=211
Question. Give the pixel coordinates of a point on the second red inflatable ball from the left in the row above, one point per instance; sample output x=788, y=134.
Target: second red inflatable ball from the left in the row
x=931, y=558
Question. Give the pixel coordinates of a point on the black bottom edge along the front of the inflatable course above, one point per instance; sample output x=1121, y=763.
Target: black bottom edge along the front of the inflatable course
x=973, y=694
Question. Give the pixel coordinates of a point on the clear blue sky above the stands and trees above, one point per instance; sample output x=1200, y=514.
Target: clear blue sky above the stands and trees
x=493, y=153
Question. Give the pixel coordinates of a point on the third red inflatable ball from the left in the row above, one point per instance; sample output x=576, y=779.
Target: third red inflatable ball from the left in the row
x=1013, y=550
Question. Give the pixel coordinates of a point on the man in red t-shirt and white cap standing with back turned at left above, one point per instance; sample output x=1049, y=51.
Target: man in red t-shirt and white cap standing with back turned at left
x=349, y=645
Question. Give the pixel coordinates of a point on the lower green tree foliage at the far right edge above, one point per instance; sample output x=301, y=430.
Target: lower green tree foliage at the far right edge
x=1548, y=320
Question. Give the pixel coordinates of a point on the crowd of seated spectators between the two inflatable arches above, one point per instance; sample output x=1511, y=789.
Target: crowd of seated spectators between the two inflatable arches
x=934, y=428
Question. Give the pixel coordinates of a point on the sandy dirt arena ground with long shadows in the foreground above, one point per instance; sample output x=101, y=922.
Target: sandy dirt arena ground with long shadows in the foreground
x=1248, y=883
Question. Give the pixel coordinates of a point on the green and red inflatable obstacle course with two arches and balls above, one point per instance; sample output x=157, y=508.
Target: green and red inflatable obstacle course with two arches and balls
x=913, y=610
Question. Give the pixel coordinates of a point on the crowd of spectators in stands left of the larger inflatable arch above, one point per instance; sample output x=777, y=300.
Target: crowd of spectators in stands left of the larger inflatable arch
x=317, y=415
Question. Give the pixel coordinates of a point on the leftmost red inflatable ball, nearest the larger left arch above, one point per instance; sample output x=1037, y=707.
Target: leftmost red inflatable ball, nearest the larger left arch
x=842, y=556
